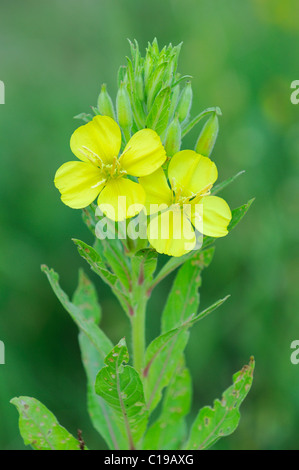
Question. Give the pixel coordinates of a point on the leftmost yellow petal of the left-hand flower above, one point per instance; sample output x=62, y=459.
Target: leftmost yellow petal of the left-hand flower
x=79, y=183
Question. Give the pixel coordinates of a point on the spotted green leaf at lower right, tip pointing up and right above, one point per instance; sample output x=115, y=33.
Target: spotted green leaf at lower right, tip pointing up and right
x=213, y=423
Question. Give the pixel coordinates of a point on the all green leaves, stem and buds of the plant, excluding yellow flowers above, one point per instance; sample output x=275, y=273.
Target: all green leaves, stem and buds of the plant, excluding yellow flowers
x=121, y=398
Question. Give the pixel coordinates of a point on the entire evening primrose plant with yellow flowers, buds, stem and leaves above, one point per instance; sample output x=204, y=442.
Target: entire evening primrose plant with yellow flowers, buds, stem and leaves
x=145, y=199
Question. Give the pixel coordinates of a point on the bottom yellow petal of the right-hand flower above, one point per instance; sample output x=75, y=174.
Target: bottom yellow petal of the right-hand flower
x=171, y=233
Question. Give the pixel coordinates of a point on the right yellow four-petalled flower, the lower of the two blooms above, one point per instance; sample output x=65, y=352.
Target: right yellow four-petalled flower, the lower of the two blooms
x=185, y=204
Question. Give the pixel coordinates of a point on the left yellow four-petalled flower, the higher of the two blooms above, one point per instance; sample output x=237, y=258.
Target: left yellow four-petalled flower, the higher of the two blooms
x=102, y=173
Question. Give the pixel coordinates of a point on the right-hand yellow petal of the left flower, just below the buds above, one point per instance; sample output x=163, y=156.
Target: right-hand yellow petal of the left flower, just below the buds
x=143, y=154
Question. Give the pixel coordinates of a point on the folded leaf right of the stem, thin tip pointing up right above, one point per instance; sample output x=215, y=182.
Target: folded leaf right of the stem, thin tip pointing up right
x=164, y=354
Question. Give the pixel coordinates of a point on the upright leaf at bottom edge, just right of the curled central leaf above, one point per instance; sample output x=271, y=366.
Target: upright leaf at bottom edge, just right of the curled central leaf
x=169, y=431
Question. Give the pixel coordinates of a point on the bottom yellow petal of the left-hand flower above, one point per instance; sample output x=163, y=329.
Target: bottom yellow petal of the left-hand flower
x=121, y=199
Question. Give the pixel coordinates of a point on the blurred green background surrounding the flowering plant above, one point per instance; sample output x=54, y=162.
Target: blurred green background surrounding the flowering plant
x=243, y=57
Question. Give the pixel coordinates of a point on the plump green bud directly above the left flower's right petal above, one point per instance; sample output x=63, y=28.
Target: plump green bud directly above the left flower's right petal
x=158, y=116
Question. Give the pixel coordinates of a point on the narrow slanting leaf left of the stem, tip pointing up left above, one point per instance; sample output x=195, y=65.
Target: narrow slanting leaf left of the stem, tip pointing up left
x=85, y=324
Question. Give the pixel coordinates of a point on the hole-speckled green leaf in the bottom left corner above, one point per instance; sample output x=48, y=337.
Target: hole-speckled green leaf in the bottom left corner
x=39, y=427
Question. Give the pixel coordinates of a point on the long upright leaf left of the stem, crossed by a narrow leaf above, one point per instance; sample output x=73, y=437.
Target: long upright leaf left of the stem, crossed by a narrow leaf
x=102, y=416
